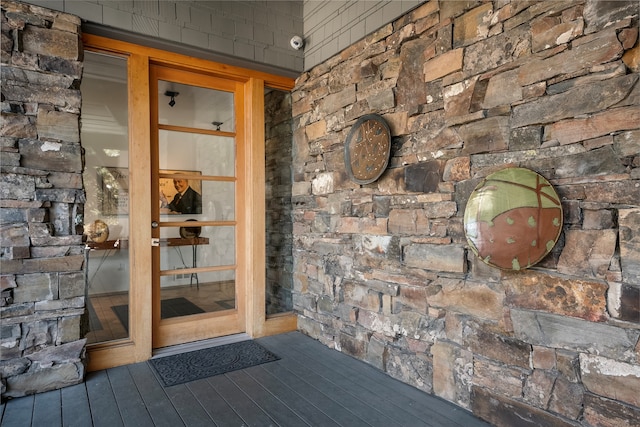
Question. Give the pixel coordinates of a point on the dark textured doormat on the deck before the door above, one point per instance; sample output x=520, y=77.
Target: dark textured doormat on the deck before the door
x=207, y=362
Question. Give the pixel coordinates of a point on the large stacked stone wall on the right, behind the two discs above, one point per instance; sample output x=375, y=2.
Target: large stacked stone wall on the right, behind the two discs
x=383, y=271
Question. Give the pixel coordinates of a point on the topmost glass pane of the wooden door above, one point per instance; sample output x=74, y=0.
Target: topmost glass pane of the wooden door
x=195, y=107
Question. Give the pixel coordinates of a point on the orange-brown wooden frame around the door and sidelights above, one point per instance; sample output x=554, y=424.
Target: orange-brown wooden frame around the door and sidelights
x=138, y=346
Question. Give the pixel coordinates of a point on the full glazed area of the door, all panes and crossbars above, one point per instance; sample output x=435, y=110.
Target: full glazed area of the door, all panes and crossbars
x=197, y=184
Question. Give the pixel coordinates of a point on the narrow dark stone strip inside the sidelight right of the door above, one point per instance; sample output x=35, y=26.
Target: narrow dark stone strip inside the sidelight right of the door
x=279, y=212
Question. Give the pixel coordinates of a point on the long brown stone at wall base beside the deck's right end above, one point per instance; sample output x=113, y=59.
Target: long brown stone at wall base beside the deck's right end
x=502, y=411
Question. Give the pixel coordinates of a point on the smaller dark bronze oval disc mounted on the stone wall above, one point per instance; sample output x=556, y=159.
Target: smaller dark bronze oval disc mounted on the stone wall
x=367, y=149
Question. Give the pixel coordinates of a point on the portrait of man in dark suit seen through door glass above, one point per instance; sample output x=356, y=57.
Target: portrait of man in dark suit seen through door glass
x=179, y=195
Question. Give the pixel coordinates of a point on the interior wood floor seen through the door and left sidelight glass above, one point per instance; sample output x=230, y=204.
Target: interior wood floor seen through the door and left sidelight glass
x=105, y=325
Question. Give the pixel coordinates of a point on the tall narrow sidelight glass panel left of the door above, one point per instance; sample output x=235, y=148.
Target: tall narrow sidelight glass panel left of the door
x=105, y=139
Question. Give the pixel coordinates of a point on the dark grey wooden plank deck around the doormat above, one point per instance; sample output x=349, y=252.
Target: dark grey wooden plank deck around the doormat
x=311, y=385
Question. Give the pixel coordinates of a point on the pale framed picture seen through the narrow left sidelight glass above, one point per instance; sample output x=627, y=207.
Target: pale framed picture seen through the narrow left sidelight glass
x=113, y=190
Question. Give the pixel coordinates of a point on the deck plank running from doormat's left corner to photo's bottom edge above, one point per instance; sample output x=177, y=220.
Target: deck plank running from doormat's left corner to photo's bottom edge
x=155, y=399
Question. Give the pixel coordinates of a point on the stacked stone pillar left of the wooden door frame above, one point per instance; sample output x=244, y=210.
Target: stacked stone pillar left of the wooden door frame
x=41, y=257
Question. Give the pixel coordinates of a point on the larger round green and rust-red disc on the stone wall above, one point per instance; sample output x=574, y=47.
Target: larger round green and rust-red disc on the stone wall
x=513, y=219
